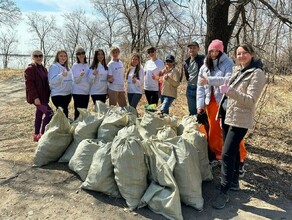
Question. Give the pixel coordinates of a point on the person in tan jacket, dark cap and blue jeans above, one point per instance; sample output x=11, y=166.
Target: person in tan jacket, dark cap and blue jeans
x=170, y=78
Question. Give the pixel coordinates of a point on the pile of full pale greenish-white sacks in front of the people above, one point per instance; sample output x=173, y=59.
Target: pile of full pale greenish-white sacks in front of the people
x=153, y=160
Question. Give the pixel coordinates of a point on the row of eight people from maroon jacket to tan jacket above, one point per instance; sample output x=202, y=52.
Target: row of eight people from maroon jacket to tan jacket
x=98, y=81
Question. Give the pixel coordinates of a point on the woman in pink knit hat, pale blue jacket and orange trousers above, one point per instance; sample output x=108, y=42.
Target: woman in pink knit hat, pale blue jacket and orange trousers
x=216, y=69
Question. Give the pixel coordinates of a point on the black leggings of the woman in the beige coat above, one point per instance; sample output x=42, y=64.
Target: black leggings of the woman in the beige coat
x=232, y=137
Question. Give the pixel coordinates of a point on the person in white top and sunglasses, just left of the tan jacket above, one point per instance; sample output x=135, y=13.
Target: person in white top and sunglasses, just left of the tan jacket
x=152, y=70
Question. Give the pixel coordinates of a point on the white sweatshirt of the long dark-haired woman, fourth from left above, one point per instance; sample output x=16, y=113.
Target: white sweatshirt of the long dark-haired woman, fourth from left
x=98, y=82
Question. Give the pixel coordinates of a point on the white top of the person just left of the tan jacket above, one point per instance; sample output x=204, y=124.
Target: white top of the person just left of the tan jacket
x=152, y=67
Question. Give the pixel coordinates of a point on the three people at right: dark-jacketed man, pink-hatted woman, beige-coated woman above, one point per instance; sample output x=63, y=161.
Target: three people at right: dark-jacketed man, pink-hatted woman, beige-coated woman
x=227, y=95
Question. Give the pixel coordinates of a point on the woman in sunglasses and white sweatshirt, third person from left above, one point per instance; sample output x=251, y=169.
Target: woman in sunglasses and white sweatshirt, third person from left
x=80, y=86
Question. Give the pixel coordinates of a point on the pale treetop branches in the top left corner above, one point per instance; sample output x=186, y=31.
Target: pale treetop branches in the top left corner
x=9, y=12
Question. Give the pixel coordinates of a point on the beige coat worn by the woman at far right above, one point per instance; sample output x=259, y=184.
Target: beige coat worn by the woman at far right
x=243, y=94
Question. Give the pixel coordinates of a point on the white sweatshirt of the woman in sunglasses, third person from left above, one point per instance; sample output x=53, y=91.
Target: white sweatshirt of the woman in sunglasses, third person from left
x=80, y=83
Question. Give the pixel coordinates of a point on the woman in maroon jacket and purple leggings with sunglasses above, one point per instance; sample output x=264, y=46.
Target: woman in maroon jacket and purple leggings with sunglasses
x=38, y=93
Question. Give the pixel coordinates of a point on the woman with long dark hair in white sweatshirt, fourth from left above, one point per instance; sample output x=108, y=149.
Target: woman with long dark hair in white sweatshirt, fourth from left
x=98, y=74
